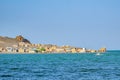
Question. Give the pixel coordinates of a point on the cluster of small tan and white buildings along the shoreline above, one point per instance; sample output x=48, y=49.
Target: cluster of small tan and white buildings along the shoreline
x=23, y=47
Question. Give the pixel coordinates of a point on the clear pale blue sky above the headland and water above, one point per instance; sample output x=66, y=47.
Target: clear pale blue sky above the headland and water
x=81, y=23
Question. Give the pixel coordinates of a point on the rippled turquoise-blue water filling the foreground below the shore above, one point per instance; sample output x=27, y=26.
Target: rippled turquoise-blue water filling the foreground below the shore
x=60, y=66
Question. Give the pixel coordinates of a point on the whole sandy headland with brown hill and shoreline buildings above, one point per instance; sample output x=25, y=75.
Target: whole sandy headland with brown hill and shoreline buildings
x=19, y=44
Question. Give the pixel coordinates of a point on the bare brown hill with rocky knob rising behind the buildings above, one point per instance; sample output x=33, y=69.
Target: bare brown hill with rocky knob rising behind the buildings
x=9, y=42
